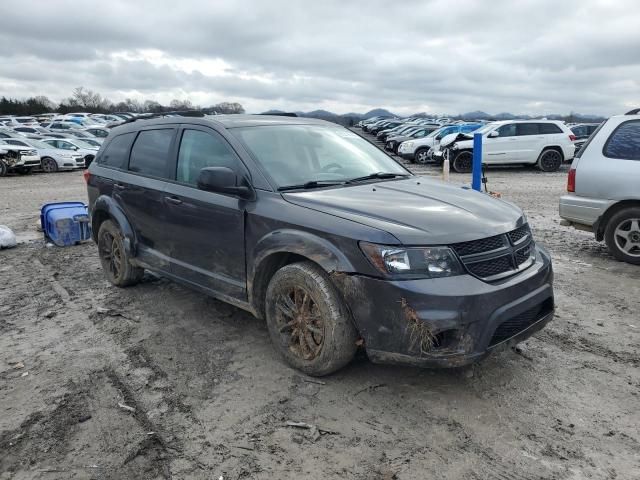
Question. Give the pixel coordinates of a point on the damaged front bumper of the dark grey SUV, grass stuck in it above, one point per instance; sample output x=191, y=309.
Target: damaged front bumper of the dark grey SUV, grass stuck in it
x=448, y=322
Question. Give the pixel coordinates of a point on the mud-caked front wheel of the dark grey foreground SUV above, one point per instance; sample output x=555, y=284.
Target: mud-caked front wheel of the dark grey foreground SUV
x=300, y=296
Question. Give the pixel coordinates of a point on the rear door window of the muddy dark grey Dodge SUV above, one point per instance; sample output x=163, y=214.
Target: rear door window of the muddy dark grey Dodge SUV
x=150, y=152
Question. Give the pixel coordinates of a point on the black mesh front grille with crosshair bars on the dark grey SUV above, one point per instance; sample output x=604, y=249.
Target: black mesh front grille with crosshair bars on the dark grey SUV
x=497, y=257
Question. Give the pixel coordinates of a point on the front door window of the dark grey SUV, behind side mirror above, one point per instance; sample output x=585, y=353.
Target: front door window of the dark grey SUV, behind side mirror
x=199, y=150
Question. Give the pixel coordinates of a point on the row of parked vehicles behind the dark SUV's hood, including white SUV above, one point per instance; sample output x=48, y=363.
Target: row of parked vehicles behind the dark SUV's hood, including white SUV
x=543, y=143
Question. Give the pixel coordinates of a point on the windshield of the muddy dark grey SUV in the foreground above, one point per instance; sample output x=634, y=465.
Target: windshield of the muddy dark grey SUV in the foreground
x=297, y=154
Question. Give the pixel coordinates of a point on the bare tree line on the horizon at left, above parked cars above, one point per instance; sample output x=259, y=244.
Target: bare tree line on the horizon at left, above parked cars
x=86, y=100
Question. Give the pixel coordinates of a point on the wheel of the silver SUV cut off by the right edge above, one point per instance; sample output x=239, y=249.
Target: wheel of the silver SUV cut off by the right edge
x=622, y=235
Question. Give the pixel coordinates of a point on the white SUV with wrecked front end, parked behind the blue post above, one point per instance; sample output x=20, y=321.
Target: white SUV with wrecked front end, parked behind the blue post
x=545, y=143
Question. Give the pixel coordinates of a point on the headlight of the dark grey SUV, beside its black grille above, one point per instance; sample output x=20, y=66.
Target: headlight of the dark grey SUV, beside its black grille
x=412, y=262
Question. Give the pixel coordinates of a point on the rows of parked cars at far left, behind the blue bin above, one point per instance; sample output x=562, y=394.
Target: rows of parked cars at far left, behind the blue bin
x=52, y=142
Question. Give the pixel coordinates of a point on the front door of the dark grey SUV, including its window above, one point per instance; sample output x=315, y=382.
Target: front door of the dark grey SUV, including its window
x=207, y=229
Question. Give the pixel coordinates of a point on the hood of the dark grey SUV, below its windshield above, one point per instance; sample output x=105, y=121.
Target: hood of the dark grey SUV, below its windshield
x=416, y=210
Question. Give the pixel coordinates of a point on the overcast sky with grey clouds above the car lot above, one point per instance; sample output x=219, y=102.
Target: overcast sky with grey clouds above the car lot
x=455, y=56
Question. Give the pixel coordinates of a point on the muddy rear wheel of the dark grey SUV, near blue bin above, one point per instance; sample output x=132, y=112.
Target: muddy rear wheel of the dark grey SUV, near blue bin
x=114, y=258
